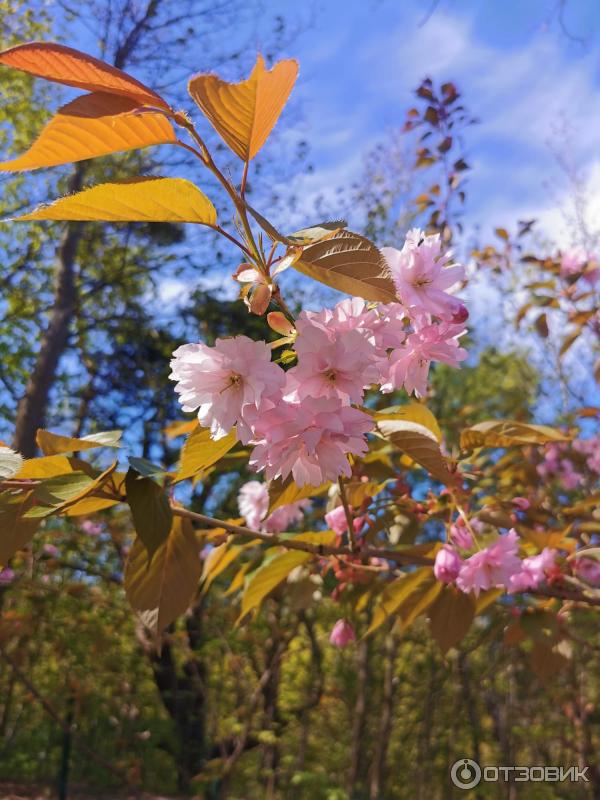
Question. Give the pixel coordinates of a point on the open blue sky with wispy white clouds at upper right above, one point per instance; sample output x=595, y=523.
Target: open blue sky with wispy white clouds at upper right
x=534, y=87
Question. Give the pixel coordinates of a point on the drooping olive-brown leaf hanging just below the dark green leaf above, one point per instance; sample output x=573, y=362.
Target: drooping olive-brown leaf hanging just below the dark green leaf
x=163, y=590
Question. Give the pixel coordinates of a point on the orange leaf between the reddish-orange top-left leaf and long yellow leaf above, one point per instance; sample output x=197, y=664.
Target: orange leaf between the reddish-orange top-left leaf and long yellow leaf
x=90, y=126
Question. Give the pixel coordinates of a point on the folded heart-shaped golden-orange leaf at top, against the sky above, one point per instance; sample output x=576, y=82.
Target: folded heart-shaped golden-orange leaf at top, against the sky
x=245, y=113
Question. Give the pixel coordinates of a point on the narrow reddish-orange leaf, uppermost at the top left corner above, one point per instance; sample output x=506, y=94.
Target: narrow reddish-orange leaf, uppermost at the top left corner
x=61, y=64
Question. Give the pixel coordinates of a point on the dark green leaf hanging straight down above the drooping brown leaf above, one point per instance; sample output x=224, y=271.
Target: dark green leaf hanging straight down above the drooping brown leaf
x=152, y=515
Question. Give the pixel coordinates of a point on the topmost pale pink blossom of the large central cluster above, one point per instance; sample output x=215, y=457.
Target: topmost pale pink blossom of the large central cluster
x=421, y=272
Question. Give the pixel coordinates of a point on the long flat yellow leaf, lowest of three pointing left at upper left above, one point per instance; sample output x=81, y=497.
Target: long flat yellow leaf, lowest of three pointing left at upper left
x=150, y=199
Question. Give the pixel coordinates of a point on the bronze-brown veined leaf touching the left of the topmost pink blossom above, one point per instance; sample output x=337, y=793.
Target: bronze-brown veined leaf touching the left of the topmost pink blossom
x=349, y=263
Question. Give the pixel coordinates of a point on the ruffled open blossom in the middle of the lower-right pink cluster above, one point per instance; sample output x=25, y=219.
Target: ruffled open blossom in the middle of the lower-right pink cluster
x=492, y=567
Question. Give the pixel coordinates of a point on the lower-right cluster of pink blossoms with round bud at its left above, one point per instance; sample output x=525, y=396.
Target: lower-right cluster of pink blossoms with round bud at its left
x=496, y=566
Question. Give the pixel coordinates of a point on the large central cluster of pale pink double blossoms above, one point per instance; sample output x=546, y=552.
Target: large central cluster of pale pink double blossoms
x=302, y=422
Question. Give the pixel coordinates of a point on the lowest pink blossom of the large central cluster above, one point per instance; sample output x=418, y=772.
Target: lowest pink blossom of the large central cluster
x=311, y=439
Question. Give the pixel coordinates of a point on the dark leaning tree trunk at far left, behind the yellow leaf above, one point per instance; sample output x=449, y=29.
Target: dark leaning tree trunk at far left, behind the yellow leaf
x=31, y=411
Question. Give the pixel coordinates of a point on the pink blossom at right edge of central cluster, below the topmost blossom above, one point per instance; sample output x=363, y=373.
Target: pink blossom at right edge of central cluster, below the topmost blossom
x=409, y=365
